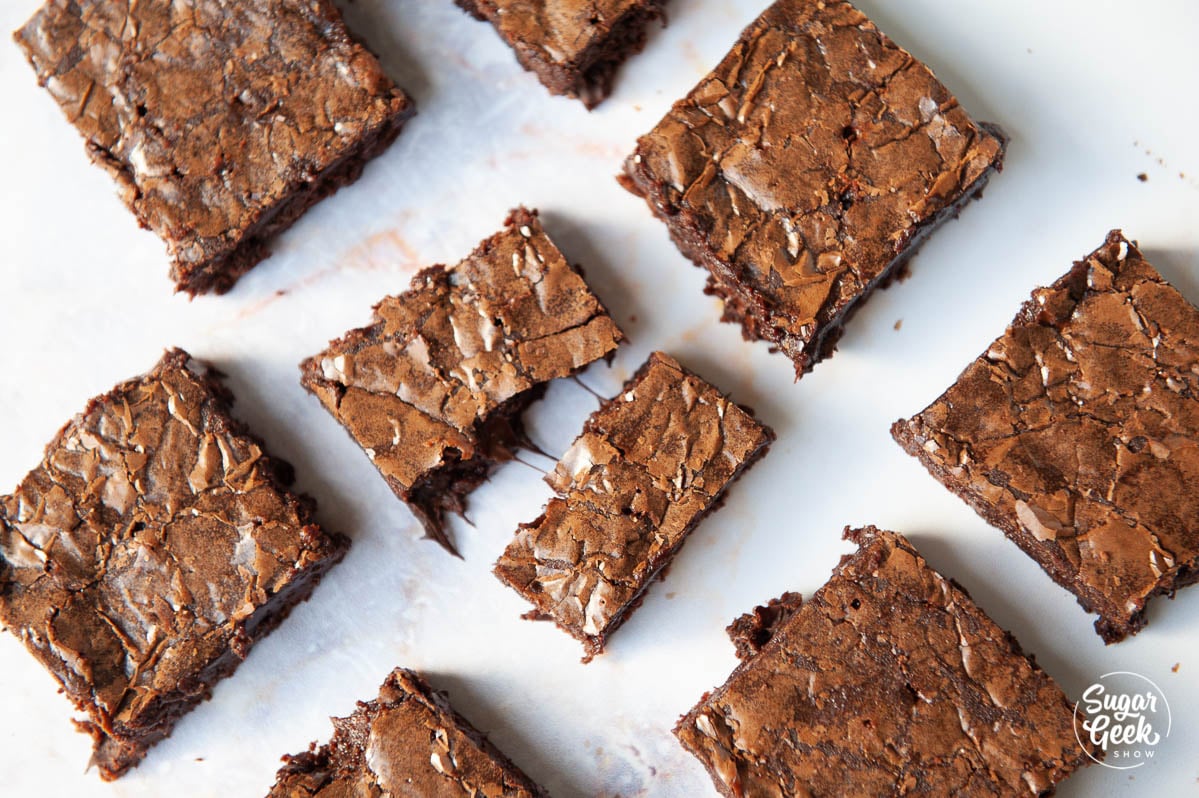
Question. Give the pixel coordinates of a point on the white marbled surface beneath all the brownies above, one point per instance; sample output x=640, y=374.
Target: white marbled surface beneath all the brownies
x=1092, y=93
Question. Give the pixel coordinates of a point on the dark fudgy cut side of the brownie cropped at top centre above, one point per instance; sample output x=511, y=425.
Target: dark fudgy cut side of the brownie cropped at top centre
x=591, y=77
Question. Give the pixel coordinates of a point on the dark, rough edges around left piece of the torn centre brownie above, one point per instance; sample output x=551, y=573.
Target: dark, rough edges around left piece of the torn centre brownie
x=444, y=491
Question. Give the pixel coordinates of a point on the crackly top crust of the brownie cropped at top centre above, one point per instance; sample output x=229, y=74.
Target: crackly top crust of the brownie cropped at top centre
x=561, y=32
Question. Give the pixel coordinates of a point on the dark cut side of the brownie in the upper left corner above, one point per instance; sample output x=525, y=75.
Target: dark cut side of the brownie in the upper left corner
x=219, y=276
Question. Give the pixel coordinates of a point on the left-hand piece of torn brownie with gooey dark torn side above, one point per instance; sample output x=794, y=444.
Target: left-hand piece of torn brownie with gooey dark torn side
x=435, y=389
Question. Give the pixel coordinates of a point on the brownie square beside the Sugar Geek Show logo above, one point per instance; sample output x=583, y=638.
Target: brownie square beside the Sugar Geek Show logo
x=888, y=681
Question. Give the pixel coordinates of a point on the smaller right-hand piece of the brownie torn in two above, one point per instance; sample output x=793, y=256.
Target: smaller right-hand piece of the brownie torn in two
x=650, y=464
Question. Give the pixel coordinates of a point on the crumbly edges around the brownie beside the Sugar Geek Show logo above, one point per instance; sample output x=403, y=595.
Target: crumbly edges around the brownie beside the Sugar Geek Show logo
x=770, y=619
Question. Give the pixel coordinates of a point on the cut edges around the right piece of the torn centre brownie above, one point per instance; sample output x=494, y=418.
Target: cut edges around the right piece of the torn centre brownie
x=594, y=645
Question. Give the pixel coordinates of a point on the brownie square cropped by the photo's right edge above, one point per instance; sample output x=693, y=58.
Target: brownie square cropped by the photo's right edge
x=1077, y=434
